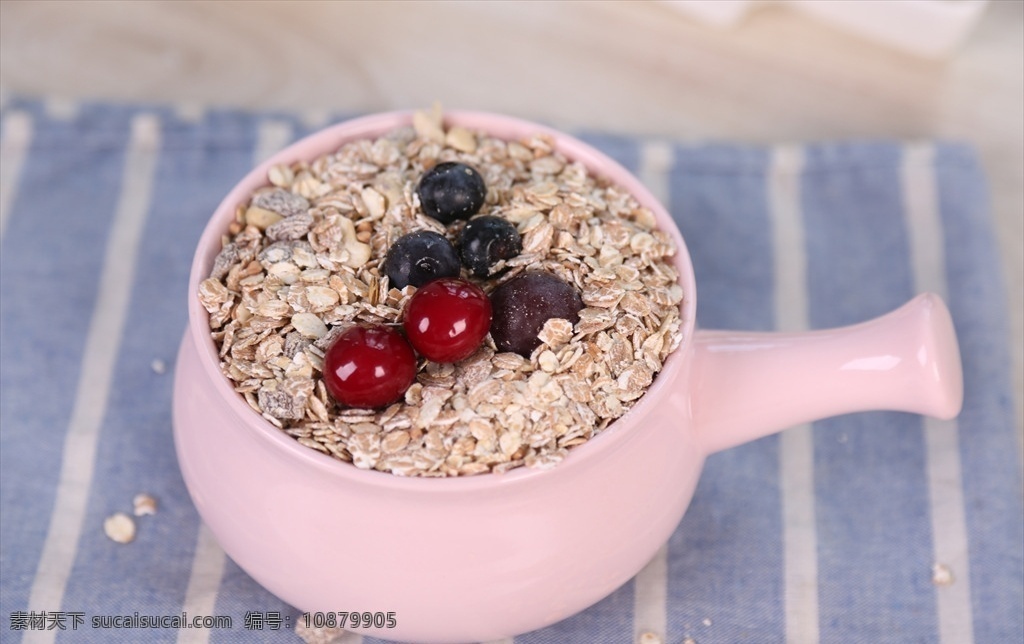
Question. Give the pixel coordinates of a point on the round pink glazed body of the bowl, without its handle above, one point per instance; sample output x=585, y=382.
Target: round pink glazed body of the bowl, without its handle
x=467, y=560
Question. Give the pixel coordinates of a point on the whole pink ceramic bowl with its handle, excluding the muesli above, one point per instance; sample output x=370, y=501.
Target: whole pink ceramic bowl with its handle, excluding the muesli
x=491, y=556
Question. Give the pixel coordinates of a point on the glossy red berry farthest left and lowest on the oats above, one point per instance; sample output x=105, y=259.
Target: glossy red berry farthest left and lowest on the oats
x=369, y=367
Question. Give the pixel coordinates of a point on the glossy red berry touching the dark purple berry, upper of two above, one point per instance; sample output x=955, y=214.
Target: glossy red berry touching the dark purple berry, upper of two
x=448, y=319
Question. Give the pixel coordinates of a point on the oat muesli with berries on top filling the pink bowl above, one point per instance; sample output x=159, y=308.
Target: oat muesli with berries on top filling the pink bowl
x=313, y=261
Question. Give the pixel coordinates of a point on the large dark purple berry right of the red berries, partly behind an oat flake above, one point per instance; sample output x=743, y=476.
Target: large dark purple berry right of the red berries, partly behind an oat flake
x=522, y=306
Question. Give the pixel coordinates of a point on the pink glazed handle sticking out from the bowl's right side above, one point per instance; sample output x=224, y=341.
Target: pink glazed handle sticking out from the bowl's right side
x=748, y=385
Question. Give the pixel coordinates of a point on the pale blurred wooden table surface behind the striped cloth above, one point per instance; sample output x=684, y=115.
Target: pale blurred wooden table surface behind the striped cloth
x=630, y=67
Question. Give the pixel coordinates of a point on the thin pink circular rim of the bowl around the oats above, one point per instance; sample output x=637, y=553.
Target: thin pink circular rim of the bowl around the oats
x=328, y=140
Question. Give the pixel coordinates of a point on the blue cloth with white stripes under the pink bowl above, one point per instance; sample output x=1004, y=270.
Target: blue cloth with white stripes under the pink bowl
x=835, y=533
